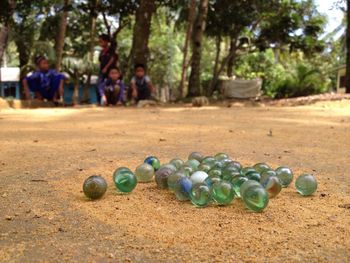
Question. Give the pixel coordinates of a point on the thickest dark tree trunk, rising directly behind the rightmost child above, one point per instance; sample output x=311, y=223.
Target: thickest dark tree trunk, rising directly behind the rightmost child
x=142, y=30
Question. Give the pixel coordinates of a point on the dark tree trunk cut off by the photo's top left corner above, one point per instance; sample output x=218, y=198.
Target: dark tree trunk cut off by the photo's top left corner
x=6, y=13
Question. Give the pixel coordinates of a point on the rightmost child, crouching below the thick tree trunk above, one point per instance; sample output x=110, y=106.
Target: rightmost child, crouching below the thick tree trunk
x=141, y=85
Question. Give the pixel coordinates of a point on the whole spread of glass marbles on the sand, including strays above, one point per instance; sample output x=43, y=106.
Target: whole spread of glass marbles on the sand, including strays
x=207, y=180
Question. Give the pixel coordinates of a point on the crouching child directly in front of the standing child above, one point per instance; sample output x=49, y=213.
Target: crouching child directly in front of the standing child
x=112, y=89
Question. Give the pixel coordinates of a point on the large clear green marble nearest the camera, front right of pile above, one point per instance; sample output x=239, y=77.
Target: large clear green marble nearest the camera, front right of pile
x=256, y=198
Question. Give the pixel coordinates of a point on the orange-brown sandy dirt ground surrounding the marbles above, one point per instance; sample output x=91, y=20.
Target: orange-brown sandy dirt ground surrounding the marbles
x=46, y=154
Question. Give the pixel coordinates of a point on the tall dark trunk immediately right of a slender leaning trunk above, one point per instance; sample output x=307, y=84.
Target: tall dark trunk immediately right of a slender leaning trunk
x=198, y=32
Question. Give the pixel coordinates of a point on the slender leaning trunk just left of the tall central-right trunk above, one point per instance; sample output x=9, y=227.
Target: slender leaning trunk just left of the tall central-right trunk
x=191, y=15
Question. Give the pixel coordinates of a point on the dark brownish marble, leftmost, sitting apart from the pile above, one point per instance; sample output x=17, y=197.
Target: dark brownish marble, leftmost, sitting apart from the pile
x=94, y=187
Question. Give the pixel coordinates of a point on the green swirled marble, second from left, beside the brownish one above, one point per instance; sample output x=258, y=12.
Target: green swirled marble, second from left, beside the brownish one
x=124, y=180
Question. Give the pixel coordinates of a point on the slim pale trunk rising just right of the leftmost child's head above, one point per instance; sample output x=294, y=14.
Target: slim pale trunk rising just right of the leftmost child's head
x=61, y=35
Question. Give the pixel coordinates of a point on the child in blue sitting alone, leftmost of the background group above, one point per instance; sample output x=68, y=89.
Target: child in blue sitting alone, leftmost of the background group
x=45, y=83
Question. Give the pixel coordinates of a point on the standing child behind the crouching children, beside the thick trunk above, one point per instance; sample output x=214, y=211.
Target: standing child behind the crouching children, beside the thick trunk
x=108, y=57
